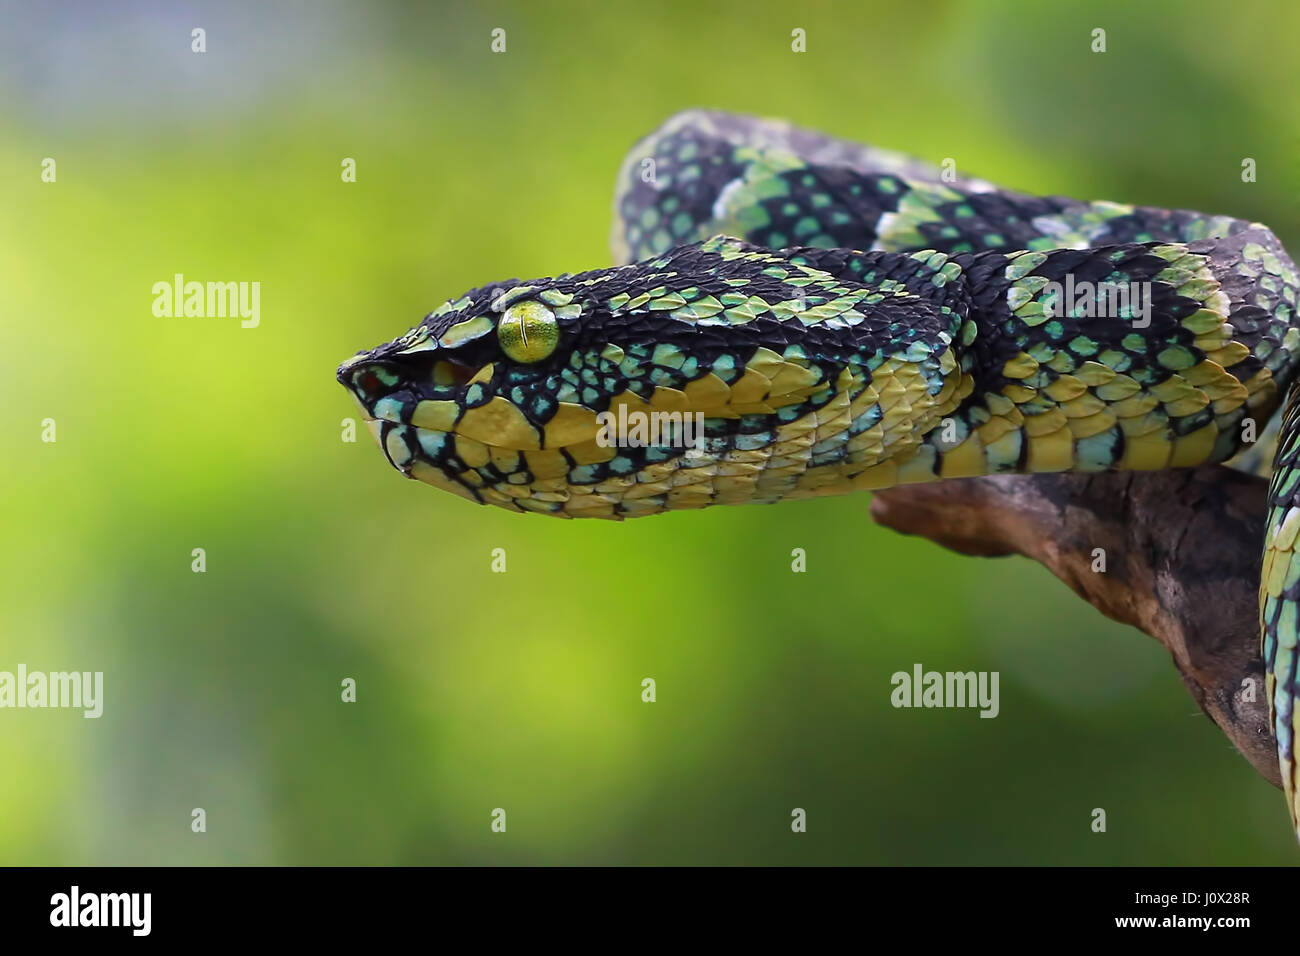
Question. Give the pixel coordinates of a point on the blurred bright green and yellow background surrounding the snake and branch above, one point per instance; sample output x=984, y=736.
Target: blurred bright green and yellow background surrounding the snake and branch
x=523, y=691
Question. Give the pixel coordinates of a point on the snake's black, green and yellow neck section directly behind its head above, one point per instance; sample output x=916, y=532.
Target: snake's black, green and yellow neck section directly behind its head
x=1132, y=357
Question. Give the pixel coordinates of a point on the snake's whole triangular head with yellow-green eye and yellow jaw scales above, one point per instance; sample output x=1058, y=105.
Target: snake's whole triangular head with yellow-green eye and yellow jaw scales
x=687, y=380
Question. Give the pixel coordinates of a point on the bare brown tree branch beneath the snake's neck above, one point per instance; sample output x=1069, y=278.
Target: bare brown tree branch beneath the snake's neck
x=1182, y=552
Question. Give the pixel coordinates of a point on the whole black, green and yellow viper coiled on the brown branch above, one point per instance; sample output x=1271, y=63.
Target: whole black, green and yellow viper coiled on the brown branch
x=843, y=318
